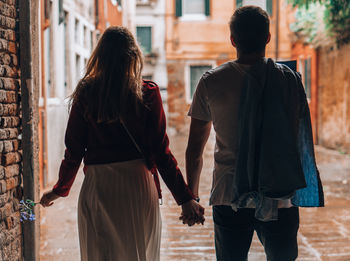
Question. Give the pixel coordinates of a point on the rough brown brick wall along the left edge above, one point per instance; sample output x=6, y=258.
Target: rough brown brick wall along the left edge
x=10, y=145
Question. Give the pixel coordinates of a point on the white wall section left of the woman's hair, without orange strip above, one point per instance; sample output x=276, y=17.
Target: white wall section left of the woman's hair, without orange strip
x=65, y=70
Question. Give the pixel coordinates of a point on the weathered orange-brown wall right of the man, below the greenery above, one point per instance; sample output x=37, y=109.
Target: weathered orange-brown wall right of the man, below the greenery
x=326, y=79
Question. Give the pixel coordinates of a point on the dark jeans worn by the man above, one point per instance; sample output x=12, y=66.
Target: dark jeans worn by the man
x=234, y=233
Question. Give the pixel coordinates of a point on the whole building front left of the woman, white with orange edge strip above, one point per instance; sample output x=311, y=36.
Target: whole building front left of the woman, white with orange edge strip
x=68, y=29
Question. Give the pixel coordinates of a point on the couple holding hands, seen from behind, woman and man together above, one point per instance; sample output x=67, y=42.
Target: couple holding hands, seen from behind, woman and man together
x=117, y=126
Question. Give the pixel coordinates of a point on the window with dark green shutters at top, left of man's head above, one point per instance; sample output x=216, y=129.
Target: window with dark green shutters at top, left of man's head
x=192, y=8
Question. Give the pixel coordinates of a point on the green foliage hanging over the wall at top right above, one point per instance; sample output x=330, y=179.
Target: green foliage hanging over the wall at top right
x=322, y=22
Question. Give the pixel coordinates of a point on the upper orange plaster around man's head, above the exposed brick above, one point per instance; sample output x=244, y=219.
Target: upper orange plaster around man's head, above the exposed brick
x=209, y=39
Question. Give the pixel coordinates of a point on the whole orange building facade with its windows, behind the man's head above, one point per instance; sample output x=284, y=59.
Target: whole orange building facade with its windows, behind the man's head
x=198, y=39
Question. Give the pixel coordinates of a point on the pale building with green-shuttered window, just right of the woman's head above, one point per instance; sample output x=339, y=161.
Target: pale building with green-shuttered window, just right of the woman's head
x=150, y=33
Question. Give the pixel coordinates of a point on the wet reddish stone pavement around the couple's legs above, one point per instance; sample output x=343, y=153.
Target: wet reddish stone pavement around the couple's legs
x=324, y=233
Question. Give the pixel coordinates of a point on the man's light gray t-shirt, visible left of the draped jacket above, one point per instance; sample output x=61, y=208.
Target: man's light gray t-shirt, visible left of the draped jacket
x=217, y=99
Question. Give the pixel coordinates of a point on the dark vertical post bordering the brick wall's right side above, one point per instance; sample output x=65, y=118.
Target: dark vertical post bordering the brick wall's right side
x=29, y=101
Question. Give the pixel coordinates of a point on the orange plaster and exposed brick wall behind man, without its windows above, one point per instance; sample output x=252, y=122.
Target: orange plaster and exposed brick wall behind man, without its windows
x=208, y=40
